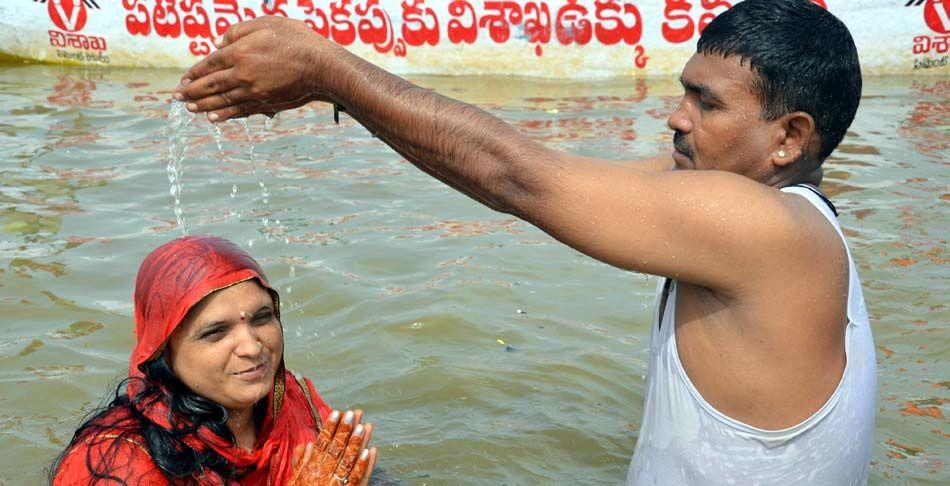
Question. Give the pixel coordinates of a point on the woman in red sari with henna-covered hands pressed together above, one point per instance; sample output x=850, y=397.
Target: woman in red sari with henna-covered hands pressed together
x=208, y=400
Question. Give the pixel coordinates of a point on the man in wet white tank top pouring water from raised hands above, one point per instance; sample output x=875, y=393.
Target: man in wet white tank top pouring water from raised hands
x=762, y=367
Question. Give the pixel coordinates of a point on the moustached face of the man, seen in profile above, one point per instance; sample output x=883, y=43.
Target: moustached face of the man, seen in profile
x=718, y=124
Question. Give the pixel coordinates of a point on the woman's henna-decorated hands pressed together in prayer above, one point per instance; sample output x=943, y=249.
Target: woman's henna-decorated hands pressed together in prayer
x=339, y=456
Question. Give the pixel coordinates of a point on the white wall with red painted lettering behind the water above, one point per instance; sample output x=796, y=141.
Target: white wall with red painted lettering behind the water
x=545, y=38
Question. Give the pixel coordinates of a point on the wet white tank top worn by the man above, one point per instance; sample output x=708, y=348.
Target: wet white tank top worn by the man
x=685, y=441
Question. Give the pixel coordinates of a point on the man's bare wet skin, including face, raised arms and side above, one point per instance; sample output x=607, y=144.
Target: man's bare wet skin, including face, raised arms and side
x=763, y=277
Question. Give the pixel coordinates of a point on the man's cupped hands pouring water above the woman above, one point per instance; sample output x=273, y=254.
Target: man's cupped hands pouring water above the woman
x=265, y=65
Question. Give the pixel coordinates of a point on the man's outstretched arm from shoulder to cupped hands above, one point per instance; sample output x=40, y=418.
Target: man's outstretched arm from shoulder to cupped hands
x=713, y=229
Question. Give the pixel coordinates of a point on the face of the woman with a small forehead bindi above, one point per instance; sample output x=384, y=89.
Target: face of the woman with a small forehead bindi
x=228, y=347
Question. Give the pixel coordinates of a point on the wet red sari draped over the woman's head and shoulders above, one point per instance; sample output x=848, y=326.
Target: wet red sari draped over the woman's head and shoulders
x=172, y=279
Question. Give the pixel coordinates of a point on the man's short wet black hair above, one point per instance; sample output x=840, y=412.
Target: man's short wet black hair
x=803, y=56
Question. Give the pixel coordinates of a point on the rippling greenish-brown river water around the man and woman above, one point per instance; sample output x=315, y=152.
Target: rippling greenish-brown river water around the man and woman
x=484, y=351
